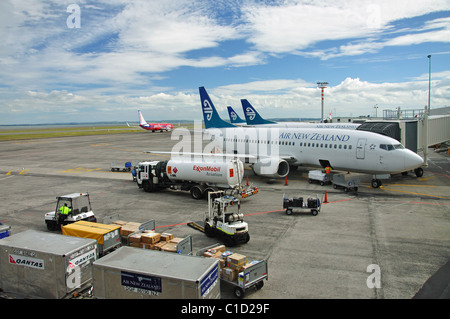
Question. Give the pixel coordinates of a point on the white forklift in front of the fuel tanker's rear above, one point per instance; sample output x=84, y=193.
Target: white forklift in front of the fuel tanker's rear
x=224, y=220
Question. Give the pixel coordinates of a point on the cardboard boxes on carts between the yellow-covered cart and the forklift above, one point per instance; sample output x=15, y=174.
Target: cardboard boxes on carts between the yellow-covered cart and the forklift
x=148, y=239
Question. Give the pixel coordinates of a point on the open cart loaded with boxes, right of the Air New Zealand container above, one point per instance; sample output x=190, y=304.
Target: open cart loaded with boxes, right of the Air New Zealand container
x=237, y=271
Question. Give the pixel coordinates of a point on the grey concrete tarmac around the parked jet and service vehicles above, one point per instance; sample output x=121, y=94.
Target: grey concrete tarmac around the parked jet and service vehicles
x=387, y=243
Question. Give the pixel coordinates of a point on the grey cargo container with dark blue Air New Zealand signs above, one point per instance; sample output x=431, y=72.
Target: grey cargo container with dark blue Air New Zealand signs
x=130, y=272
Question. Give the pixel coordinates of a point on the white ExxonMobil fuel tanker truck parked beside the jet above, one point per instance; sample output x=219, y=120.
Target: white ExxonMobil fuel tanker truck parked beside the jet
x=197, y=177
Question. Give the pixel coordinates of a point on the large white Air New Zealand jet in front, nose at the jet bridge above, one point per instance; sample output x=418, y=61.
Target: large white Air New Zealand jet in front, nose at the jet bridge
x=271, y=150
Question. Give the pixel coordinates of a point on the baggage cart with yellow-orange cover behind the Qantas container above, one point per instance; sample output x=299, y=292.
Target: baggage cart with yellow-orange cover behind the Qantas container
x=107, y=236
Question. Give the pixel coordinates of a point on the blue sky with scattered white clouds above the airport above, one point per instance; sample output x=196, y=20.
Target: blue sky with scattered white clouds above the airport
x=153, y=55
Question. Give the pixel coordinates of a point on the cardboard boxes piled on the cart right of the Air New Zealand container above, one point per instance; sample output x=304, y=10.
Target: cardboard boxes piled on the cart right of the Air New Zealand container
x=230, y=264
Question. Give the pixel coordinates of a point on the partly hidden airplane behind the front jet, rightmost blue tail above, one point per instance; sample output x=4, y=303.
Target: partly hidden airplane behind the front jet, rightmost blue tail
x=253, y=118
